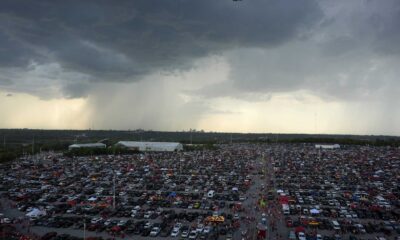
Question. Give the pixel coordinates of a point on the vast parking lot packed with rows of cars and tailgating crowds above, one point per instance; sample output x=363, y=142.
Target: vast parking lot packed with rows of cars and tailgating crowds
x=238, y=191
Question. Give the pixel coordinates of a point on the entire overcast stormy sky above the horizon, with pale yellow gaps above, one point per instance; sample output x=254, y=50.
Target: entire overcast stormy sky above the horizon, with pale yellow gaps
x=240, y=66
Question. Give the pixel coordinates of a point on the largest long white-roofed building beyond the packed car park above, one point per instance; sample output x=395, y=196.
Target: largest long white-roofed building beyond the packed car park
x=151, y=146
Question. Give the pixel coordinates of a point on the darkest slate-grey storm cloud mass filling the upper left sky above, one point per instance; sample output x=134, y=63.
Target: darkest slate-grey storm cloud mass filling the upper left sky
x=126, y=40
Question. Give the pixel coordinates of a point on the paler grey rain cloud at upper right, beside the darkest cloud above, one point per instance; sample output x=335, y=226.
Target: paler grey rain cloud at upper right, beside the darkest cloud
x=351, y=54
